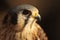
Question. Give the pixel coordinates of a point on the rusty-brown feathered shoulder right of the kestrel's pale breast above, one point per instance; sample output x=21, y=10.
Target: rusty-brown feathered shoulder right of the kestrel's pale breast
x=41, y=33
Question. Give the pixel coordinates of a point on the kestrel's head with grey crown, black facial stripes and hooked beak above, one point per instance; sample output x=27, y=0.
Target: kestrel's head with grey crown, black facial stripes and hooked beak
x=22, y=14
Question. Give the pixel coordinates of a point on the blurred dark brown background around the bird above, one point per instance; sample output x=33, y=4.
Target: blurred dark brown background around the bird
x=49, y=11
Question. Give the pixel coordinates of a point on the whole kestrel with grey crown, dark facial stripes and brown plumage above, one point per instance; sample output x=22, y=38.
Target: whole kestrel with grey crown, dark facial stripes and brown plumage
x=20, y=24
